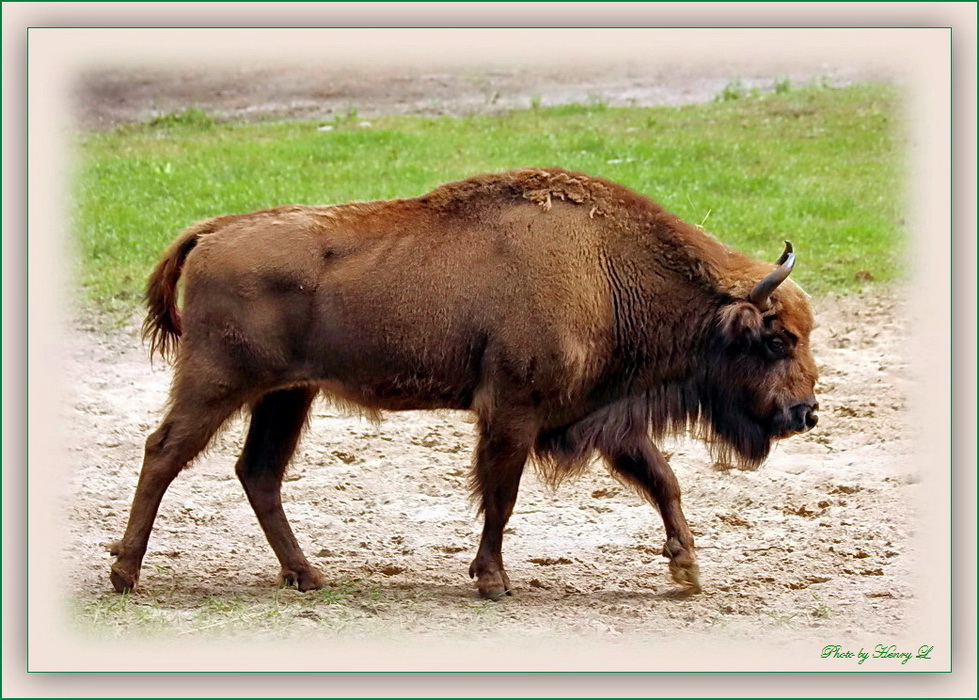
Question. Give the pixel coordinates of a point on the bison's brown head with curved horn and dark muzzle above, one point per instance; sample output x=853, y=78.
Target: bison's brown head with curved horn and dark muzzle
x=760, y=378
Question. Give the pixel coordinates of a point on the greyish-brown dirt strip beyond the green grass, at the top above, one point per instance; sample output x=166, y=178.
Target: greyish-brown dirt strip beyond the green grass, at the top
x=106, y=98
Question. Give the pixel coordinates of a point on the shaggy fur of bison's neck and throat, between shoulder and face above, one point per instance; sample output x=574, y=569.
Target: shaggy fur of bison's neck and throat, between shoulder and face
x=662, y=350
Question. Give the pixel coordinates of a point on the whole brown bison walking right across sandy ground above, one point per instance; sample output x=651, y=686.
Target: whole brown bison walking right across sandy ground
x=571, y=315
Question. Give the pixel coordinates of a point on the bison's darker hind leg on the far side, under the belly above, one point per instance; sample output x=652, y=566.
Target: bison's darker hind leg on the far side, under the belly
x=277, y=422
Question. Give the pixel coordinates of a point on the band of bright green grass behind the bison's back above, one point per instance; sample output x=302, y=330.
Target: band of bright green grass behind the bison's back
x=820, y=166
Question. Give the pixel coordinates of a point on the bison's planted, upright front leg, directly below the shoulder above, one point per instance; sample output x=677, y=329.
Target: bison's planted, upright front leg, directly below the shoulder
x=500, y=458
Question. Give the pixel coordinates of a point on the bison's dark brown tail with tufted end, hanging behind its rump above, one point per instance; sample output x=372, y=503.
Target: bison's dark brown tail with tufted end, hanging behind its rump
x=162, y=324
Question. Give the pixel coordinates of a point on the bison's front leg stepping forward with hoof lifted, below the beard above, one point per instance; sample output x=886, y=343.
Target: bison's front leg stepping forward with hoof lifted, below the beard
x=641, y=463
